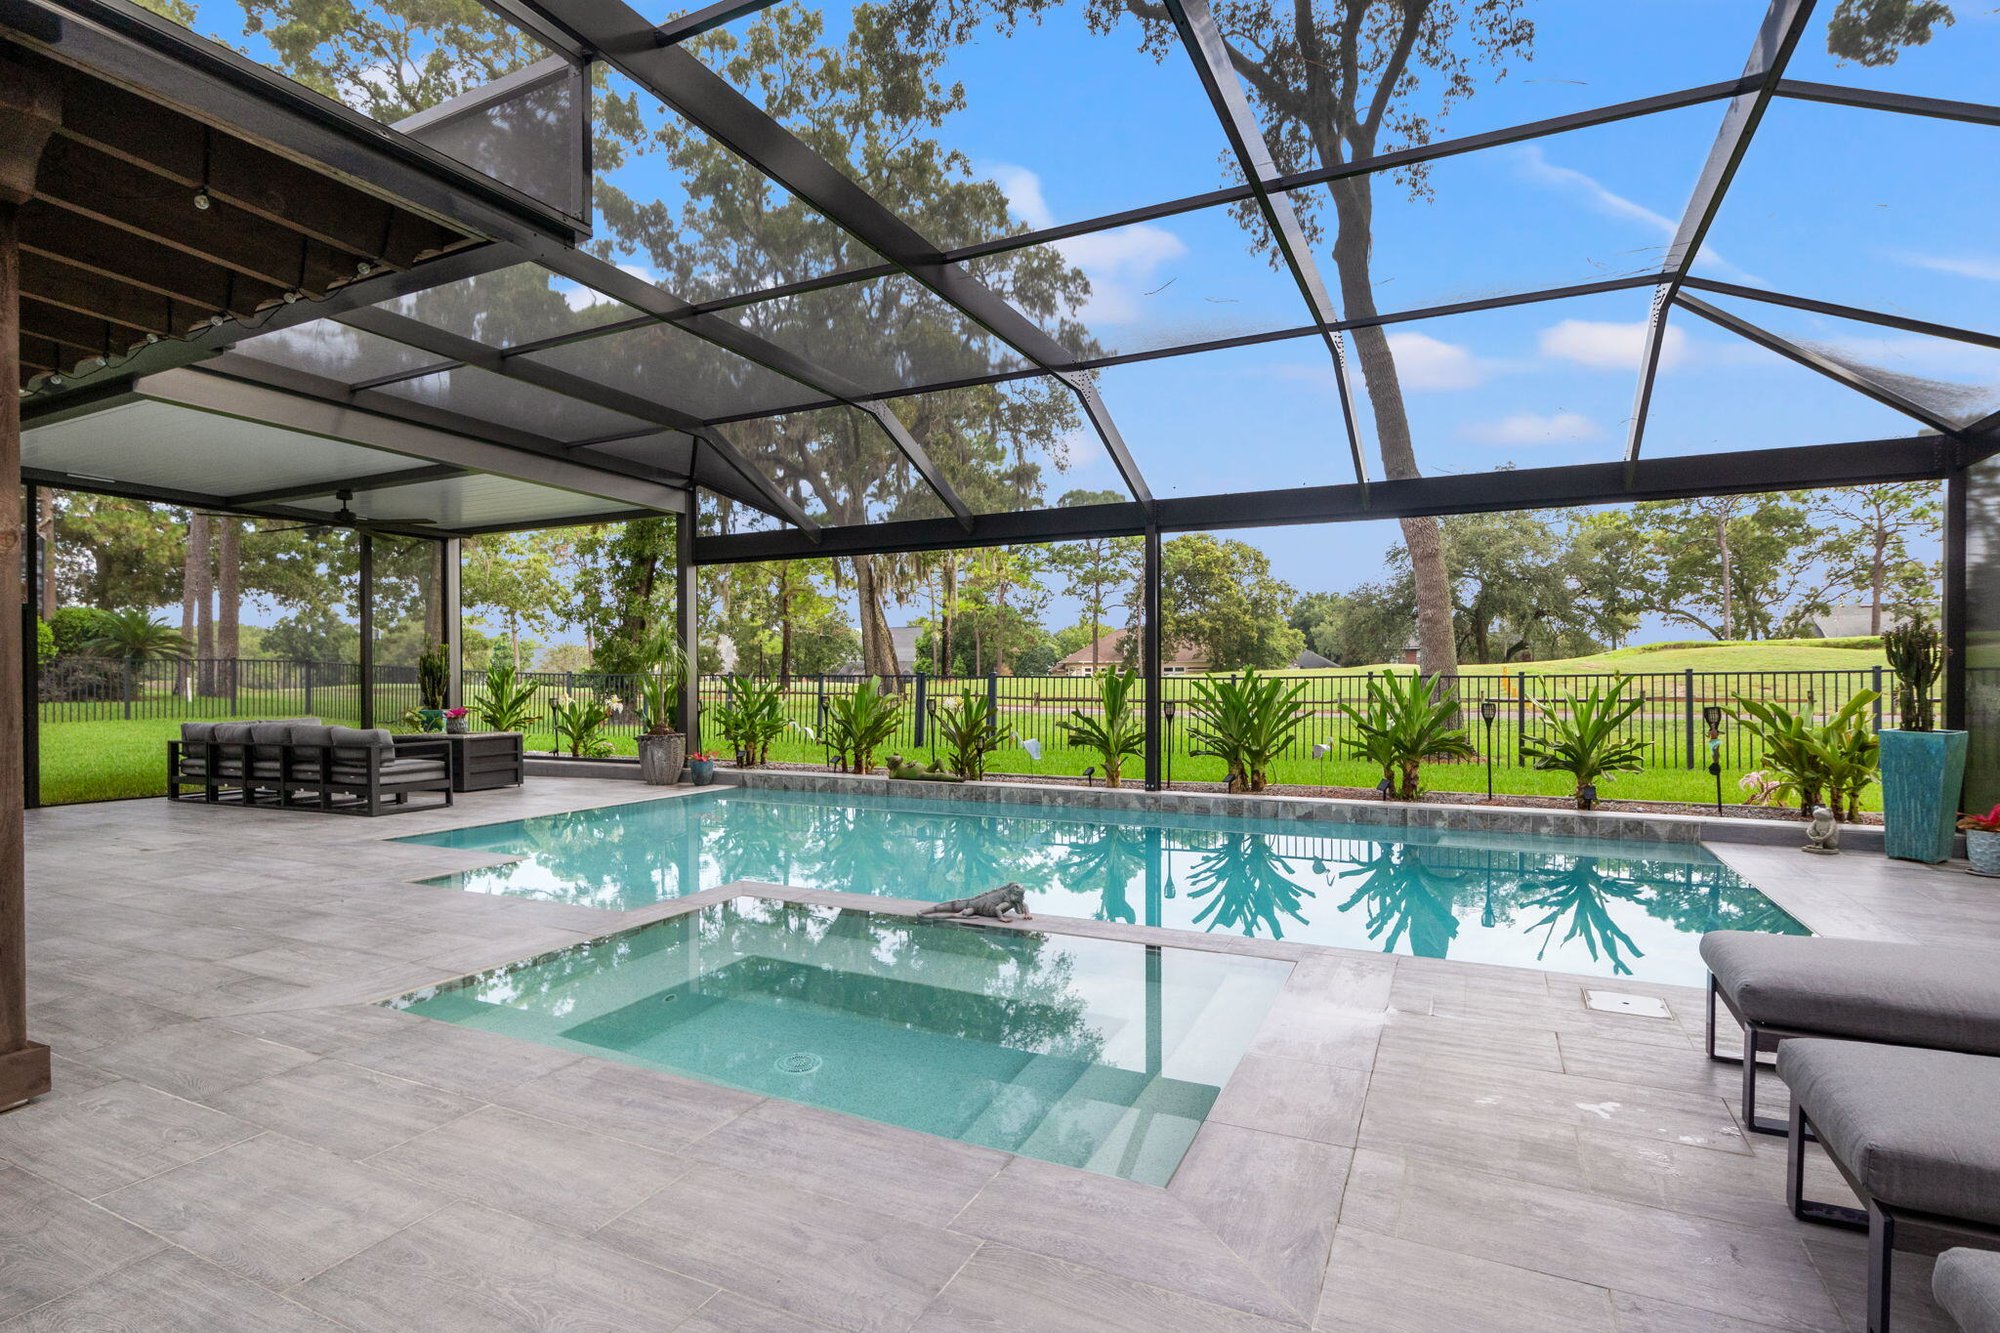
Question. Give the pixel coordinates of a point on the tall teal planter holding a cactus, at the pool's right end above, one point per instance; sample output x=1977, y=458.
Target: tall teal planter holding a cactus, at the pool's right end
x=1923, y=770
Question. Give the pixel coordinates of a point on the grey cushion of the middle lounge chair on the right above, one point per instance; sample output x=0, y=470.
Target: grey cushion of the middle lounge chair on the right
x=1915, y=1128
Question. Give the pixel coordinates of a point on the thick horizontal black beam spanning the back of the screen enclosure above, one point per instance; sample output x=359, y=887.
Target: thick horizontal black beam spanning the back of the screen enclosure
x=1563, y=487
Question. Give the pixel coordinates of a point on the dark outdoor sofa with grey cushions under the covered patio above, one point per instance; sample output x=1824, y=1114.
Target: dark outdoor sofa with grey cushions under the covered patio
x=303, y=764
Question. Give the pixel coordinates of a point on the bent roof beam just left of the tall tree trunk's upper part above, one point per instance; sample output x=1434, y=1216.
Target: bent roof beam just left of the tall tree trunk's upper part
x=1211, y=55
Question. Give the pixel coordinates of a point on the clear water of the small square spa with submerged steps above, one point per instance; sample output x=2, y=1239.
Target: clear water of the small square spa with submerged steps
x=1083, y=1052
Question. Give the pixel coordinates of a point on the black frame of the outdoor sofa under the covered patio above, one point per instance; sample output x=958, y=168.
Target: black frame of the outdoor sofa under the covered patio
x=307, y=770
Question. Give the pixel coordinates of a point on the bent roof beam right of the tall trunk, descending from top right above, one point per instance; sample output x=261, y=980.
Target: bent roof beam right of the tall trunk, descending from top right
x=1785, y=25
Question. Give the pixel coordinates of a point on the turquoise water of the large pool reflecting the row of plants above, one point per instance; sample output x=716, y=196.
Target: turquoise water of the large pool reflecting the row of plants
x=1573, y=906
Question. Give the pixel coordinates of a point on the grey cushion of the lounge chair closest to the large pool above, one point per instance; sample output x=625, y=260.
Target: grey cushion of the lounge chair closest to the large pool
x=1861, y=990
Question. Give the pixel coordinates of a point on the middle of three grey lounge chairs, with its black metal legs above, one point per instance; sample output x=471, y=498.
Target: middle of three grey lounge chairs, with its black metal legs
x=1913, y=1132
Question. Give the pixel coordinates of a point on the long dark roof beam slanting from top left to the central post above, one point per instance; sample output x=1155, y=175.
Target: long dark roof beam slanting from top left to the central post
x=707, y=101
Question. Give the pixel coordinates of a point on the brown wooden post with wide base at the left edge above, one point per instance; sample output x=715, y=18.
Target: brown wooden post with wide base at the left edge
x=31, y=109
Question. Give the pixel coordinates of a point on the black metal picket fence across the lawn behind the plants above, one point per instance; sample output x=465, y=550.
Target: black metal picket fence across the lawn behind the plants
x=1035, y=708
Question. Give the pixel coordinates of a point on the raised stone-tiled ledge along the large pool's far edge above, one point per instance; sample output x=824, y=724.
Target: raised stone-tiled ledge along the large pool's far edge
x=1321, y=810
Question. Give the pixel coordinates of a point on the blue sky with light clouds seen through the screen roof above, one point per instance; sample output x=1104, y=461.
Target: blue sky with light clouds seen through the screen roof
x=1845, y=205
